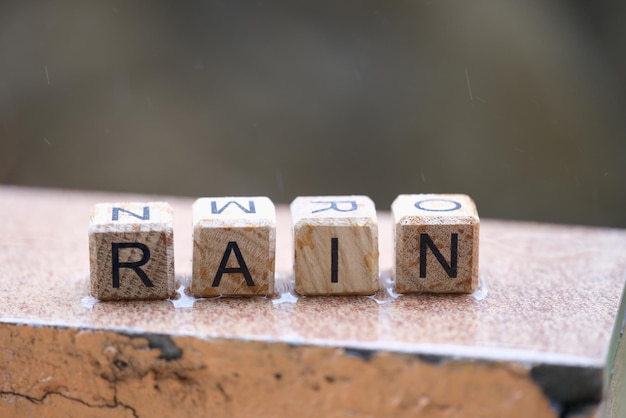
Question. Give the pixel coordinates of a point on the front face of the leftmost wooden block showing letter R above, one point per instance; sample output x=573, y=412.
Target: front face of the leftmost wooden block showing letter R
x=132, y=265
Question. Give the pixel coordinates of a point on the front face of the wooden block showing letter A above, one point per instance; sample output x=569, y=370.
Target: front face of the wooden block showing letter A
x=233, y=261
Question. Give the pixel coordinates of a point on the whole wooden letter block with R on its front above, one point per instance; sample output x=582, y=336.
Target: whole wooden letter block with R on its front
x=131, y=251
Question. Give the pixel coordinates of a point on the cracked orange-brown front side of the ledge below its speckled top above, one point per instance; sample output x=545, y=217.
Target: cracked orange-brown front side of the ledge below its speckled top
x=104, y=373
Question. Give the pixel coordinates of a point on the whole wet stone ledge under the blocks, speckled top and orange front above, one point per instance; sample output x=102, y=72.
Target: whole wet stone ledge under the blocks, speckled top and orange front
x=538, y=338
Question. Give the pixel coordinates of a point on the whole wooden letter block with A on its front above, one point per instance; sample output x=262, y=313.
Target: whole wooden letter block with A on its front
x=234, y=247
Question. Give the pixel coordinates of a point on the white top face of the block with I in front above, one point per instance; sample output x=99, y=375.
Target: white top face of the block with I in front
x=328, y=209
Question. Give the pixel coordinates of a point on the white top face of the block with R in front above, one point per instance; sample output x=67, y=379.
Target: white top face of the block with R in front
x=131, y=216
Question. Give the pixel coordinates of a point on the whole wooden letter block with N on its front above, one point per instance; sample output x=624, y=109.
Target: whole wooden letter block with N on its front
x=436, y=243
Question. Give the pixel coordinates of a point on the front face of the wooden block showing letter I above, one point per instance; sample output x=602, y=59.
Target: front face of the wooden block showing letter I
x=336, y=260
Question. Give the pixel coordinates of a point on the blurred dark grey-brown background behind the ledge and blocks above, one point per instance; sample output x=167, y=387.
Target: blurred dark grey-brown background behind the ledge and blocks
x=520, y=104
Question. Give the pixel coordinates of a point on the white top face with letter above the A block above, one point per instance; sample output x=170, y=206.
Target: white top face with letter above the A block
x=234, y=211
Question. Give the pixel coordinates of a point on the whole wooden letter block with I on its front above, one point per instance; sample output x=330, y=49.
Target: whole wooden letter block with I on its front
x=335, y=245
